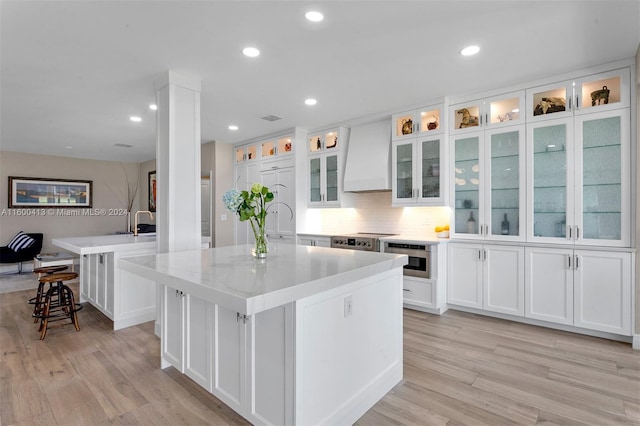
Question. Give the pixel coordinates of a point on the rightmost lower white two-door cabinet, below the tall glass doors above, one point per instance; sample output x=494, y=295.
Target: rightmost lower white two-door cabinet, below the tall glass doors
x=583, y=288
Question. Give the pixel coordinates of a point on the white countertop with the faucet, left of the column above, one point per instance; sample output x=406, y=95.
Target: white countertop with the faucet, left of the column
x=106, y=243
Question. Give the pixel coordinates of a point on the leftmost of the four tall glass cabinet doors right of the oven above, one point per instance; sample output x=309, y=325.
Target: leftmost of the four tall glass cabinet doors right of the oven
x=467, y=186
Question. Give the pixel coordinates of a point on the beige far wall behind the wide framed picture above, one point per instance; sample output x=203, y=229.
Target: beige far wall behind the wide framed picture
x=109, y=193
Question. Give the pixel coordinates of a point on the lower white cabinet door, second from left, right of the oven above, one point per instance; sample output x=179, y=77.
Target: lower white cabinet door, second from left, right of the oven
x=504, y=279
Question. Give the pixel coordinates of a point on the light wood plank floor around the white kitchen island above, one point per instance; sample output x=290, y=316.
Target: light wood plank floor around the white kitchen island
x=459, y=368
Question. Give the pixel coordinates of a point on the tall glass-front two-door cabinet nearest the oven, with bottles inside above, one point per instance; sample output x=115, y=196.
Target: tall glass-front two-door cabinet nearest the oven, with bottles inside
x=488, y=187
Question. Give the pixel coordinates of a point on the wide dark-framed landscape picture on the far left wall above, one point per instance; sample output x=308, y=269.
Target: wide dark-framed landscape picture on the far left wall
x=49, y=192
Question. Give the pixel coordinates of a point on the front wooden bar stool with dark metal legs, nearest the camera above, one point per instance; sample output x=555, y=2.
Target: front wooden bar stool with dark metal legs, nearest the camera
x=59, y=303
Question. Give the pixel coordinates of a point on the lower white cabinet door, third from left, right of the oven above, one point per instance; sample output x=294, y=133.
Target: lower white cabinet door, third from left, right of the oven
x=549, y=284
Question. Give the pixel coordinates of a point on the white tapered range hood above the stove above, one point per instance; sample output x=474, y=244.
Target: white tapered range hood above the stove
x=368, y=166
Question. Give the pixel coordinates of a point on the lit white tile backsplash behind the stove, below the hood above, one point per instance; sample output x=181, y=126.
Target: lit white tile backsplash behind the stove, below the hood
x=372, y=212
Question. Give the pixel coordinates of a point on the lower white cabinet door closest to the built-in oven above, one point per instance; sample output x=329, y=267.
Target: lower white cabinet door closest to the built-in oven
x=465, y=275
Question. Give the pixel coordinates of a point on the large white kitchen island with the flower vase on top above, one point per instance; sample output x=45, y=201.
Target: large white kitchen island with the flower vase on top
x=311, y=335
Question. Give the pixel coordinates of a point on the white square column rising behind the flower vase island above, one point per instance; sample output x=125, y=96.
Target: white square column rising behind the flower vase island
x=178, y=163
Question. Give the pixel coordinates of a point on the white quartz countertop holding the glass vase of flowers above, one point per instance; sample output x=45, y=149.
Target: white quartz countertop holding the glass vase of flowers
x=230, y=277
